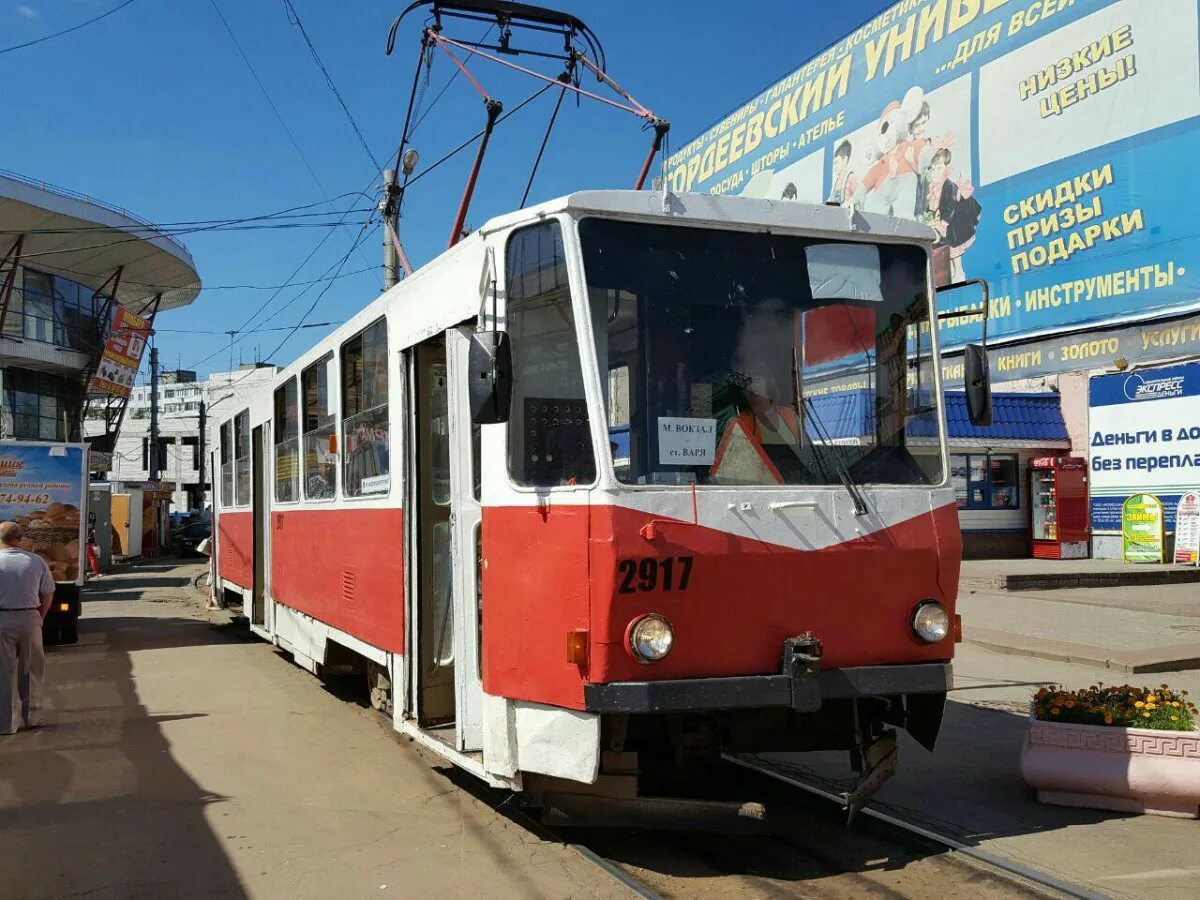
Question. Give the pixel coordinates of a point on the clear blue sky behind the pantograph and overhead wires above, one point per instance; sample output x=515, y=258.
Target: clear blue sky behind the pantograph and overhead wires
x=154, y=110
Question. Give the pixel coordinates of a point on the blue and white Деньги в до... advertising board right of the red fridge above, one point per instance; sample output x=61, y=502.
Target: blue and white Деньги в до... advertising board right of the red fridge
x=1144, y=431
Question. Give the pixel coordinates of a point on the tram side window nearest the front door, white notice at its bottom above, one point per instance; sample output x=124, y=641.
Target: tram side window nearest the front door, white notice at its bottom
x=365, y=442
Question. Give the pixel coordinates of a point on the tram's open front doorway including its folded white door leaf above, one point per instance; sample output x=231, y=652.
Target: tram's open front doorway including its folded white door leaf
x=446, y=691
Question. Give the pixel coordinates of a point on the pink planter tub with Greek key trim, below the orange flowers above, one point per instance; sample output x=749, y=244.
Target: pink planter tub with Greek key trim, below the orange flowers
x=1125, y=770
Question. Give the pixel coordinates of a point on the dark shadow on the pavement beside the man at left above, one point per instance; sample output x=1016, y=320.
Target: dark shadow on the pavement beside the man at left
x=94, y=803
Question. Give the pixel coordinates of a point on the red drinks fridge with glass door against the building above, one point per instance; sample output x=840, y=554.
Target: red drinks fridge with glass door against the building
x=1059, y=508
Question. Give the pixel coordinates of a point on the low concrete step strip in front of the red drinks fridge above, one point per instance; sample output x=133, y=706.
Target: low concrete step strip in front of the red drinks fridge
x=1066, y=574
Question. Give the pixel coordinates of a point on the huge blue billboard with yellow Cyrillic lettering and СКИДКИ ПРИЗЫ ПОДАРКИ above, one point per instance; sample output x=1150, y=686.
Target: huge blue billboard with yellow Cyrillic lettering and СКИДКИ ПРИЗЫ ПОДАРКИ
x=1043, y=141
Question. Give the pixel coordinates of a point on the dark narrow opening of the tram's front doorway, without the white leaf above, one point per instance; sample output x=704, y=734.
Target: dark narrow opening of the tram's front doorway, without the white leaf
x=431, y=613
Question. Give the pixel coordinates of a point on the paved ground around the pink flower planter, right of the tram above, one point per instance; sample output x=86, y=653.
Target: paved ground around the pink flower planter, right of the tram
x=970, y=788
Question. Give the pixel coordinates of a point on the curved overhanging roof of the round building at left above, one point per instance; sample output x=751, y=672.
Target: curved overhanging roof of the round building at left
x=85, y=241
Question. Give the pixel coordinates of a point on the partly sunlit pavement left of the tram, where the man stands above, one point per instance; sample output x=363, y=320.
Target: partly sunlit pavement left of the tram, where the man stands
x=182, y=760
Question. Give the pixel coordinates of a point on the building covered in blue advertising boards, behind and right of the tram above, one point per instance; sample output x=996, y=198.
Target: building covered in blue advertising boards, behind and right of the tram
x=1043, y=143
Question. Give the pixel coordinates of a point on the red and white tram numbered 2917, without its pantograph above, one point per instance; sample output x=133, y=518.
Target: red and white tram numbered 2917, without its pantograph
x=579, y=489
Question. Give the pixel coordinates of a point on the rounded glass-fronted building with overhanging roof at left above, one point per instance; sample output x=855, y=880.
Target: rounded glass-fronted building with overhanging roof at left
x=70, y=267
